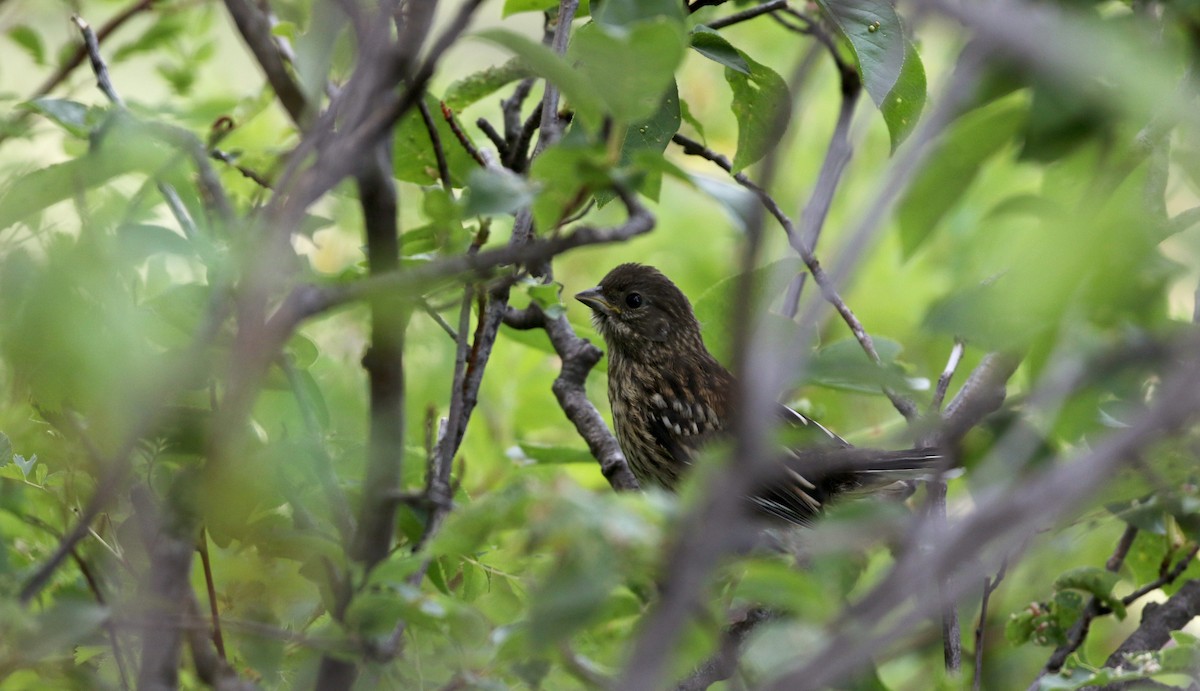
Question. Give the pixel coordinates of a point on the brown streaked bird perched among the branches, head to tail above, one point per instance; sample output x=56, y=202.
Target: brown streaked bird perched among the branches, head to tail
x=670, y=398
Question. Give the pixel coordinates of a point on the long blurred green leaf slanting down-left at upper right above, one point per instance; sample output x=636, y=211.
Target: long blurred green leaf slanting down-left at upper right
x=953, y=166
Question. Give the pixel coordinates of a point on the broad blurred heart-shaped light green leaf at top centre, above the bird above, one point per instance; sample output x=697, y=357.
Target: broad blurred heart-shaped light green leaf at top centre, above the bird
x=629, y=69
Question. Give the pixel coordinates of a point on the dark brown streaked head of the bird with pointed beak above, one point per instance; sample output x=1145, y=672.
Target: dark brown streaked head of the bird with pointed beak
x=637, y=309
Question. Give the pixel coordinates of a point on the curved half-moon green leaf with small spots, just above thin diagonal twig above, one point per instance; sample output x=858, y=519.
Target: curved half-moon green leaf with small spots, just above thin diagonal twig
x=763, y=109
